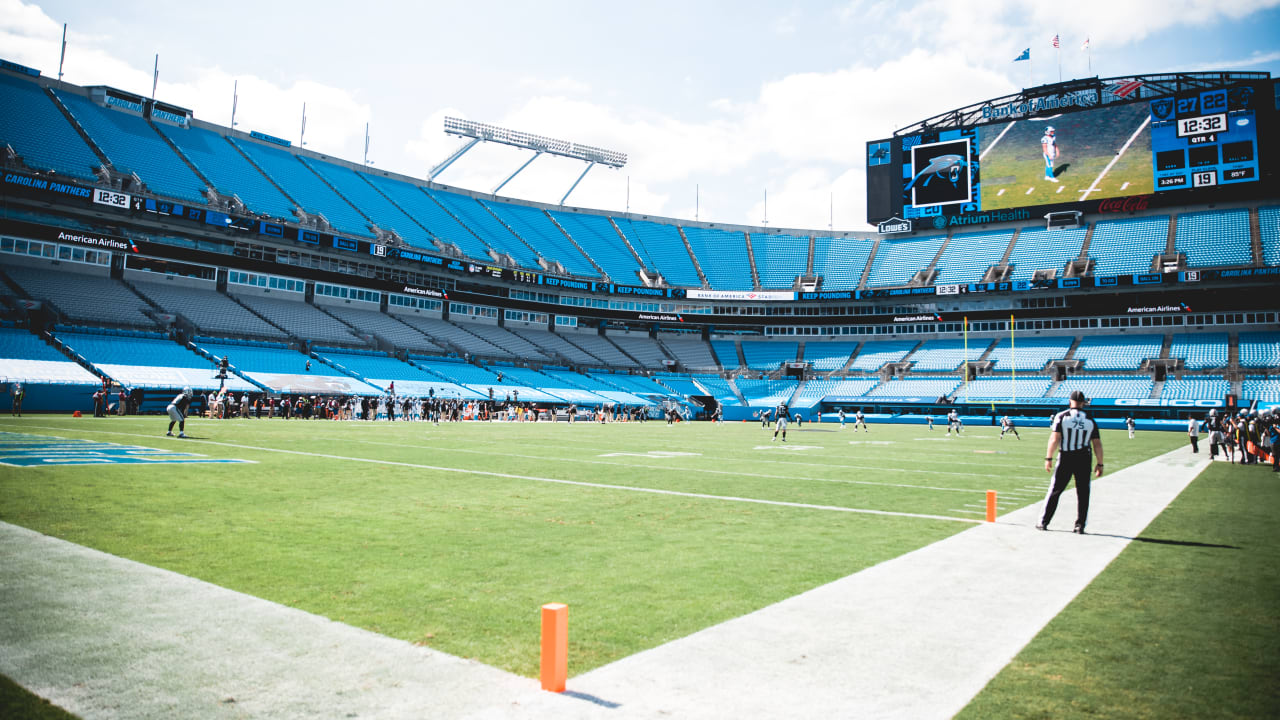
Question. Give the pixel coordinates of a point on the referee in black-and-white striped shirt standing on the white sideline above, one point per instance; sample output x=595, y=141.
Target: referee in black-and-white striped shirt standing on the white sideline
x=1075, y=434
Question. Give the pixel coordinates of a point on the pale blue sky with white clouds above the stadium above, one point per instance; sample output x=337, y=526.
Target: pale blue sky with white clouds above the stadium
x=716, y=103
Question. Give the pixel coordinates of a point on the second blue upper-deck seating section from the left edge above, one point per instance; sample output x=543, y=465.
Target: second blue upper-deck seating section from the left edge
x=132, y=147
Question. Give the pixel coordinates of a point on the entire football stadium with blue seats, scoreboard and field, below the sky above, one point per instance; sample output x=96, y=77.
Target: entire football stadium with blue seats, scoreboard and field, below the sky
x=298, y=438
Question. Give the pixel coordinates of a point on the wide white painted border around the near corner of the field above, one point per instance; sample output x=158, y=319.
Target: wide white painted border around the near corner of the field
x=915, y=637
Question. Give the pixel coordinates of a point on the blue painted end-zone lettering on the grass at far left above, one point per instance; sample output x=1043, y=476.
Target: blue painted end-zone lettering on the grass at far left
x=21, y=450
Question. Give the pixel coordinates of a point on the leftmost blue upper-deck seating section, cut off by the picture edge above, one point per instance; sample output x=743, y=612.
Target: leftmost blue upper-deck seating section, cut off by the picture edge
x=35, y=129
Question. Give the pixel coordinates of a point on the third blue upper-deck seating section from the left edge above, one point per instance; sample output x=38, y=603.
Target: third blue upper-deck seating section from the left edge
x=228, y=170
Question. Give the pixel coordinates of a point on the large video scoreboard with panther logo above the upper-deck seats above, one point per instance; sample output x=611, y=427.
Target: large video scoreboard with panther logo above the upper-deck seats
x=1072, y=157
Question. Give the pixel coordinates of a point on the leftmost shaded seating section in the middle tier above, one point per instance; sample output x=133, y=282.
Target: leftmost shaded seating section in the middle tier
x=84, y=298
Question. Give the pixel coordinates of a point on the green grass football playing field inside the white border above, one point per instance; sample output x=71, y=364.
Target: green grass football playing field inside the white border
x=454, y=536
